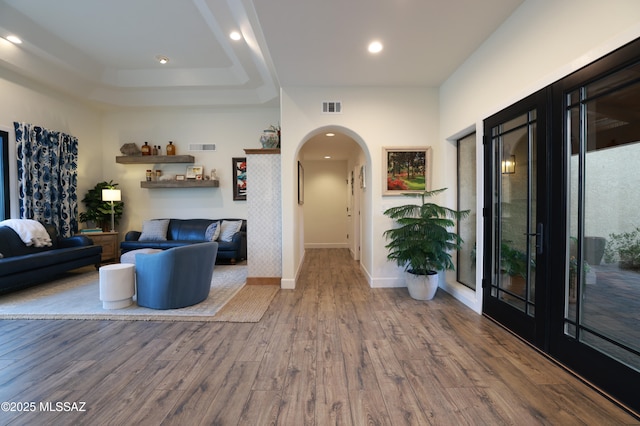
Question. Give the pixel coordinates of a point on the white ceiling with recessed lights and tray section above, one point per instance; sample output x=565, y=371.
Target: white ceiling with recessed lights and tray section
x=104, y=50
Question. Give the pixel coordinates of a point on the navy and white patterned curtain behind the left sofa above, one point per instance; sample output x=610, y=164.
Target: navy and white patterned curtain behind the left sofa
x=47, y=177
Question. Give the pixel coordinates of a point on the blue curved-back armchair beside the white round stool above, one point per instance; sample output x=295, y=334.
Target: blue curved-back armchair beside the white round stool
x=177, y=277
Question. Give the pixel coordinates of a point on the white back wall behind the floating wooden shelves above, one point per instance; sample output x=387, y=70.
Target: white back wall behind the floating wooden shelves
x=232, y=130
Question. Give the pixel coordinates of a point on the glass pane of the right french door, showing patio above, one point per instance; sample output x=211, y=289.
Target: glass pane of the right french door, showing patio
x=602, y=276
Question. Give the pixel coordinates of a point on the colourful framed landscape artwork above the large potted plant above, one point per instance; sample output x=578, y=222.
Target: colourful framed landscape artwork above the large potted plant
x=408, y=169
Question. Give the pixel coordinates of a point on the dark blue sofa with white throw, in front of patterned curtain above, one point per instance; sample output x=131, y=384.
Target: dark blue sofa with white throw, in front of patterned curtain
x=24, y=266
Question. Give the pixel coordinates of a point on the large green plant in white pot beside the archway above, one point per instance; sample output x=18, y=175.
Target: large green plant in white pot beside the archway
x=422, y=242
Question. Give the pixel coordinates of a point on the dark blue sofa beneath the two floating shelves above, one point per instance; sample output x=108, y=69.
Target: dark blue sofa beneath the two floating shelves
x=182, y=232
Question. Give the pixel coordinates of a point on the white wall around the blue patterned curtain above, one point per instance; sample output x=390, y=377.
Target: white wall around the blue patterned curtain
x=25, y=101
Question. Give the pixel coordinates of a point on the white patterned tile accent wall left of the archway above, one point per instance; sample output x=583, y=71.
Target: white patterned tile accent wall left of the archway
x=264, y=215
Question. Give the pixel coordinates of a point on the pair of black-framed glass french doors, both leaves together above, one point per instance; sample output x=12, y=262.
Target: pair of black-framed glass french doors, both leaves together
x=562, y=229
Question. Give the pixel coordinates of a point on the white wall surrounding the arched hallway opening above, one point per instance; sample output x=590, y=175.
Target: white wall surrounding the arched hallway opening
x=374, y=117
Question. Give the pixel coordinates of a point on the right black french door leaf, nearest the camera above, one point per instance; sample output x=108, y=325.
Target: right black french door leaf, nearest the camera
x=596, y=297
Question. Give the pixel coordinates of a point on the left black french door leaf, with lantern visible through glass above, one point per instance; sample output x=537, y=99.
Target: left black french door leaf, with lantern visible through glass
x=516, y=219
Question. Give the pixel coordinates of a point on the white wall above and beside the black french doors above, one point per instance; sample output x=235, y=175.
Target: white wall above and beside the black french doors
x=543, y=41
